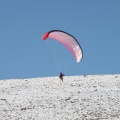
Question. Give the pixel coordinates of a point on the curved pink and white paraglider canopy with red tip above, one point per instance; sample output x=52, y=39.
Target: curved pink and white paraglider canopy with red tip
x=67, y=40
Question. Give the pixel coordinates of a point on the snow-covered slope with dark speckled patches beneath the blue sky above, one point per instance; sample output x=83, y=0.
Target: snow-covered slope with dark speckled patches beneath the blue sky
x=92, y=97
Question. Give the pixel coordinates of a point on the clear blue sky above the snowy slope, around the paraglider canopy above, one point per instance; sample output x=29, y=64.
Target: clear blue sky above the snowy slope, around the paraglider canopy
x=94, y=23
